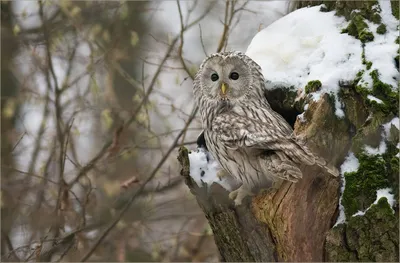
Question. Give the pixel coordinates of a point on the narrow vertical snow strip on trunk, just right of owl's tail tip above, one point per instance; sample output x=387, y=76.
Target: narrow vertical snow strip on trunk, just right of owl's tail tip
x=350, y=164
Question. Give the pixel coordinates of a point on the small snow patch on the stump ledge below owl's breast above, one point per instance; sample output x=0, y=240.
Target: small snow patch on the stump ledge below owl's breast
x=205, y=171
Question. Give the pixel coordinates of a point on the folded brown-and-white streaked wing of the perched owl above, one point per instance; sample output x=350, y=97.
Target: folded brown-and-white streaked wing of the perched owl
x=237, y=132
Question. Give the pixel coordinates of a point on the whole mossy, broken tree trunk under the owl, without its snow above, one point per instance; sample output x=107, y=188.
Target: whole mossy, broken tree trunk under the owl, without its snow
x=296, y=222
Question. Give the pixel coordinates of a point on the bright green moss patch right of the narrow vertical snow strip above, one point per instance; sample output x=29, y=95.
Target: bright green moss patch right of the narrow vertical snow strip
x=361, y=186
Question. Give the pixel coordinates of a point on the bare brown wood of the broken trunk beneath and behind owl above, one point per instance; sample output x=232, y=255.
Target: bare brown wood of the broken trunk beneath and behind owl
x=289, y=224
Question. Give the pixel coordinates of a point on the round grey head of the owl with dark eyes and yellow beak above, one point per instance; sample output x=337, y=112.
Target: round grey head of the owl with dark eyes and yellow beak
x=227, y=77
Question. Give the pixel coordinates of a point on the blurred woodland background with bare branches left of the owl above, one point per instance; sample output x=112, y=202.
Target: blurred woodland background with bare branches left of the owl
x=96, y=99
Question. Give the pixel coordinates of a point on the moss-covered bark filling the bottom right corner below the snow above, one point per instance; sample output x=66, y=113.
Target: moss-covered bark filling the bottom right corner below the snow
x=372, y=237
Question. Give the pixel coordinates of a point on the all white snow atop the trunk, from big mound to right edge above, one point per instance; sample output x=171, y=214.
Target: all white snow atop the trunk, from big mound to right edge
x=296, y=49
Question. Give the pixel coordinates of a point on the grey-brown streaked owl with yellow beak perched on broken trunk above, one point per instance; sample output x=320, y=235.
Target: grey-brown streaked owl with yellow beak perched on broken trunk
x=252, y=142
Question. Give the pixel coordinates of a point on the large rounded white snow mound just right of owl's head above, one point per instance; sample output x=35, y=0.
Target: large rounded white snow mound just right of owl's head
x=295, y=50
